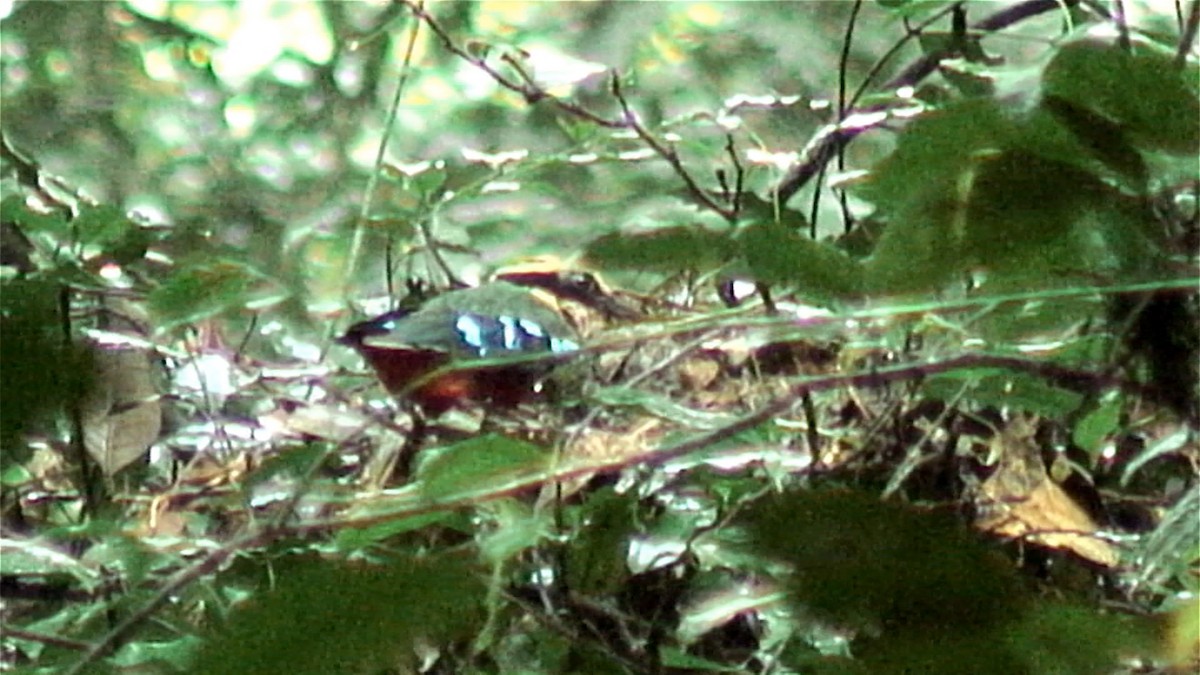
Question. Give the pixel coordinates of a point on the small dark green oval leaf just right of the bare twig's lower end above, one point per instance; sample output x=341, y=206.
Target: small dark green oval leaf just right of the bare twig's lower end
x=776, y=254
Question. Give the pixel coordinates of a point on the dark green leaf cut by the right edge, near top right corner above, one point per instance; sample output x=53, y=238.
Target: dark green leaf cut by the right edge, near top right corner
x=1142, y=92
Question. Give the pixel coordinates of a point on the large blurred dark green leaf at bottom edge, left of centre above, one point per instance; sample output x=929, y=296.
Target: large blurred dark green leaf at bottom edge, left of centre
x=332, y=617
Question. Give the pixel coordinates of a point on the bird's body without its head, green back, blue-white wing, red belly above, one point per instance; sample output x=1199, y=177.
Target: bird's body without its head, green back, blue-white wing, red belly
x=465, y=347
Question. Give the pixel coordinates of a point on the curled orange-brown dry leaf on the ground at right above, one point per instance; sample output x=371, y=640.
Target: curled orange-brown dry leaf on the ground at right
x=1019, y=500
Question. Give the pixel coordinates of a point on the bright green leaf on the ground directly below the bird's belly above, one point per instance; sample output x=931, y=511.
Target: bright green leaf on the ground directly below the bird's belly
x=482, y=464
